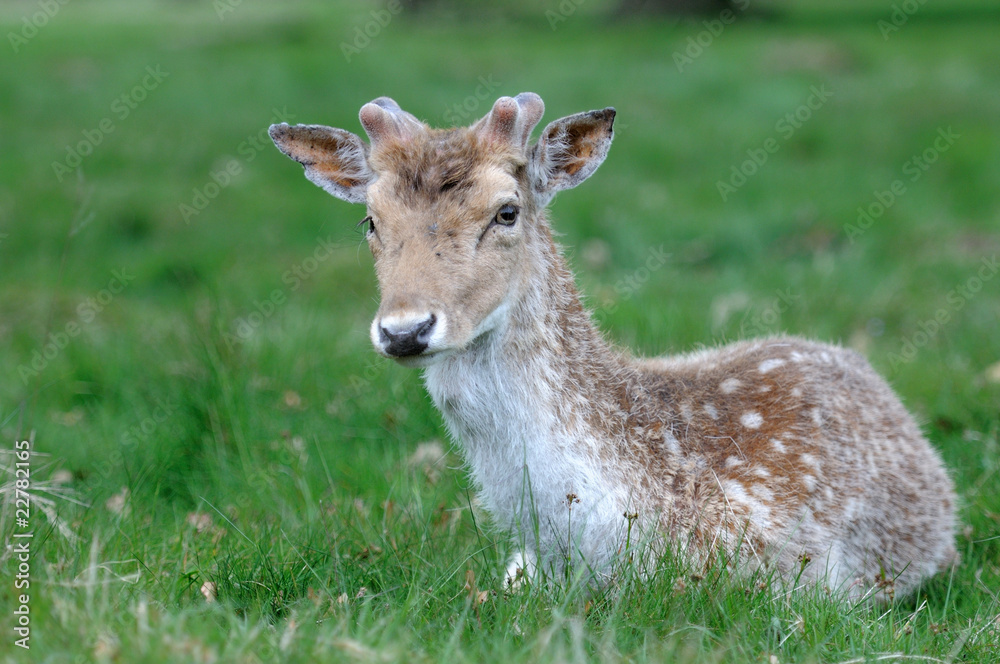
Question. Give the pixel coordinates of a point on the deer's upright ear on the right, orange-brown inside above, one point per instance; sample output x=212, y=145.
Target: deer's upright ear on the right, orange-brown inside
x=570, y=150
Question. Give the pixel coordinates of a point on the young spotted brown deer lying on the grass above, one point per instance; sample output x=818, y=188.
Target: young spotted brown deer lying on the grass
x=774, y=451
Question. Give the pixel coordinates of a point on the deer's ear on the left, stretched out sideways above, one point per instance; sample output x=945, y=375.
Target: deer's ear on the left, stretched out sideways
x=334, y=159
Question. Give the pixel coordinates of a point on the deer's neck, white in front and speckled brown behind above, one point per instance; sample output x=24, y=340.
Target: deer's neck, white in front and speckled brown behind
x=522, y=399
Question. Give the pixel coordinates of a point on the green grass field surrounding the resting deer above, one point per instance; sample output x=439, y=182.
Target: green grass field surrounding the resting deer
x=271, y=458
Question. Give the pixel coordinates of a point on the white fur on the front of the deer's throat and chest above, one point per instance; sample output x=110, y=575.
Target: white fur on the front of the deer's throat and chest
x=538, y=474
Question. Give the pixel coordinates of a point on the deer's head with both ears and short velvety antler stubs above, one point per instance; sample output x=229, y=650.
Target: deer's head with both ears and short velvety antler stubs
x=456, y=219
